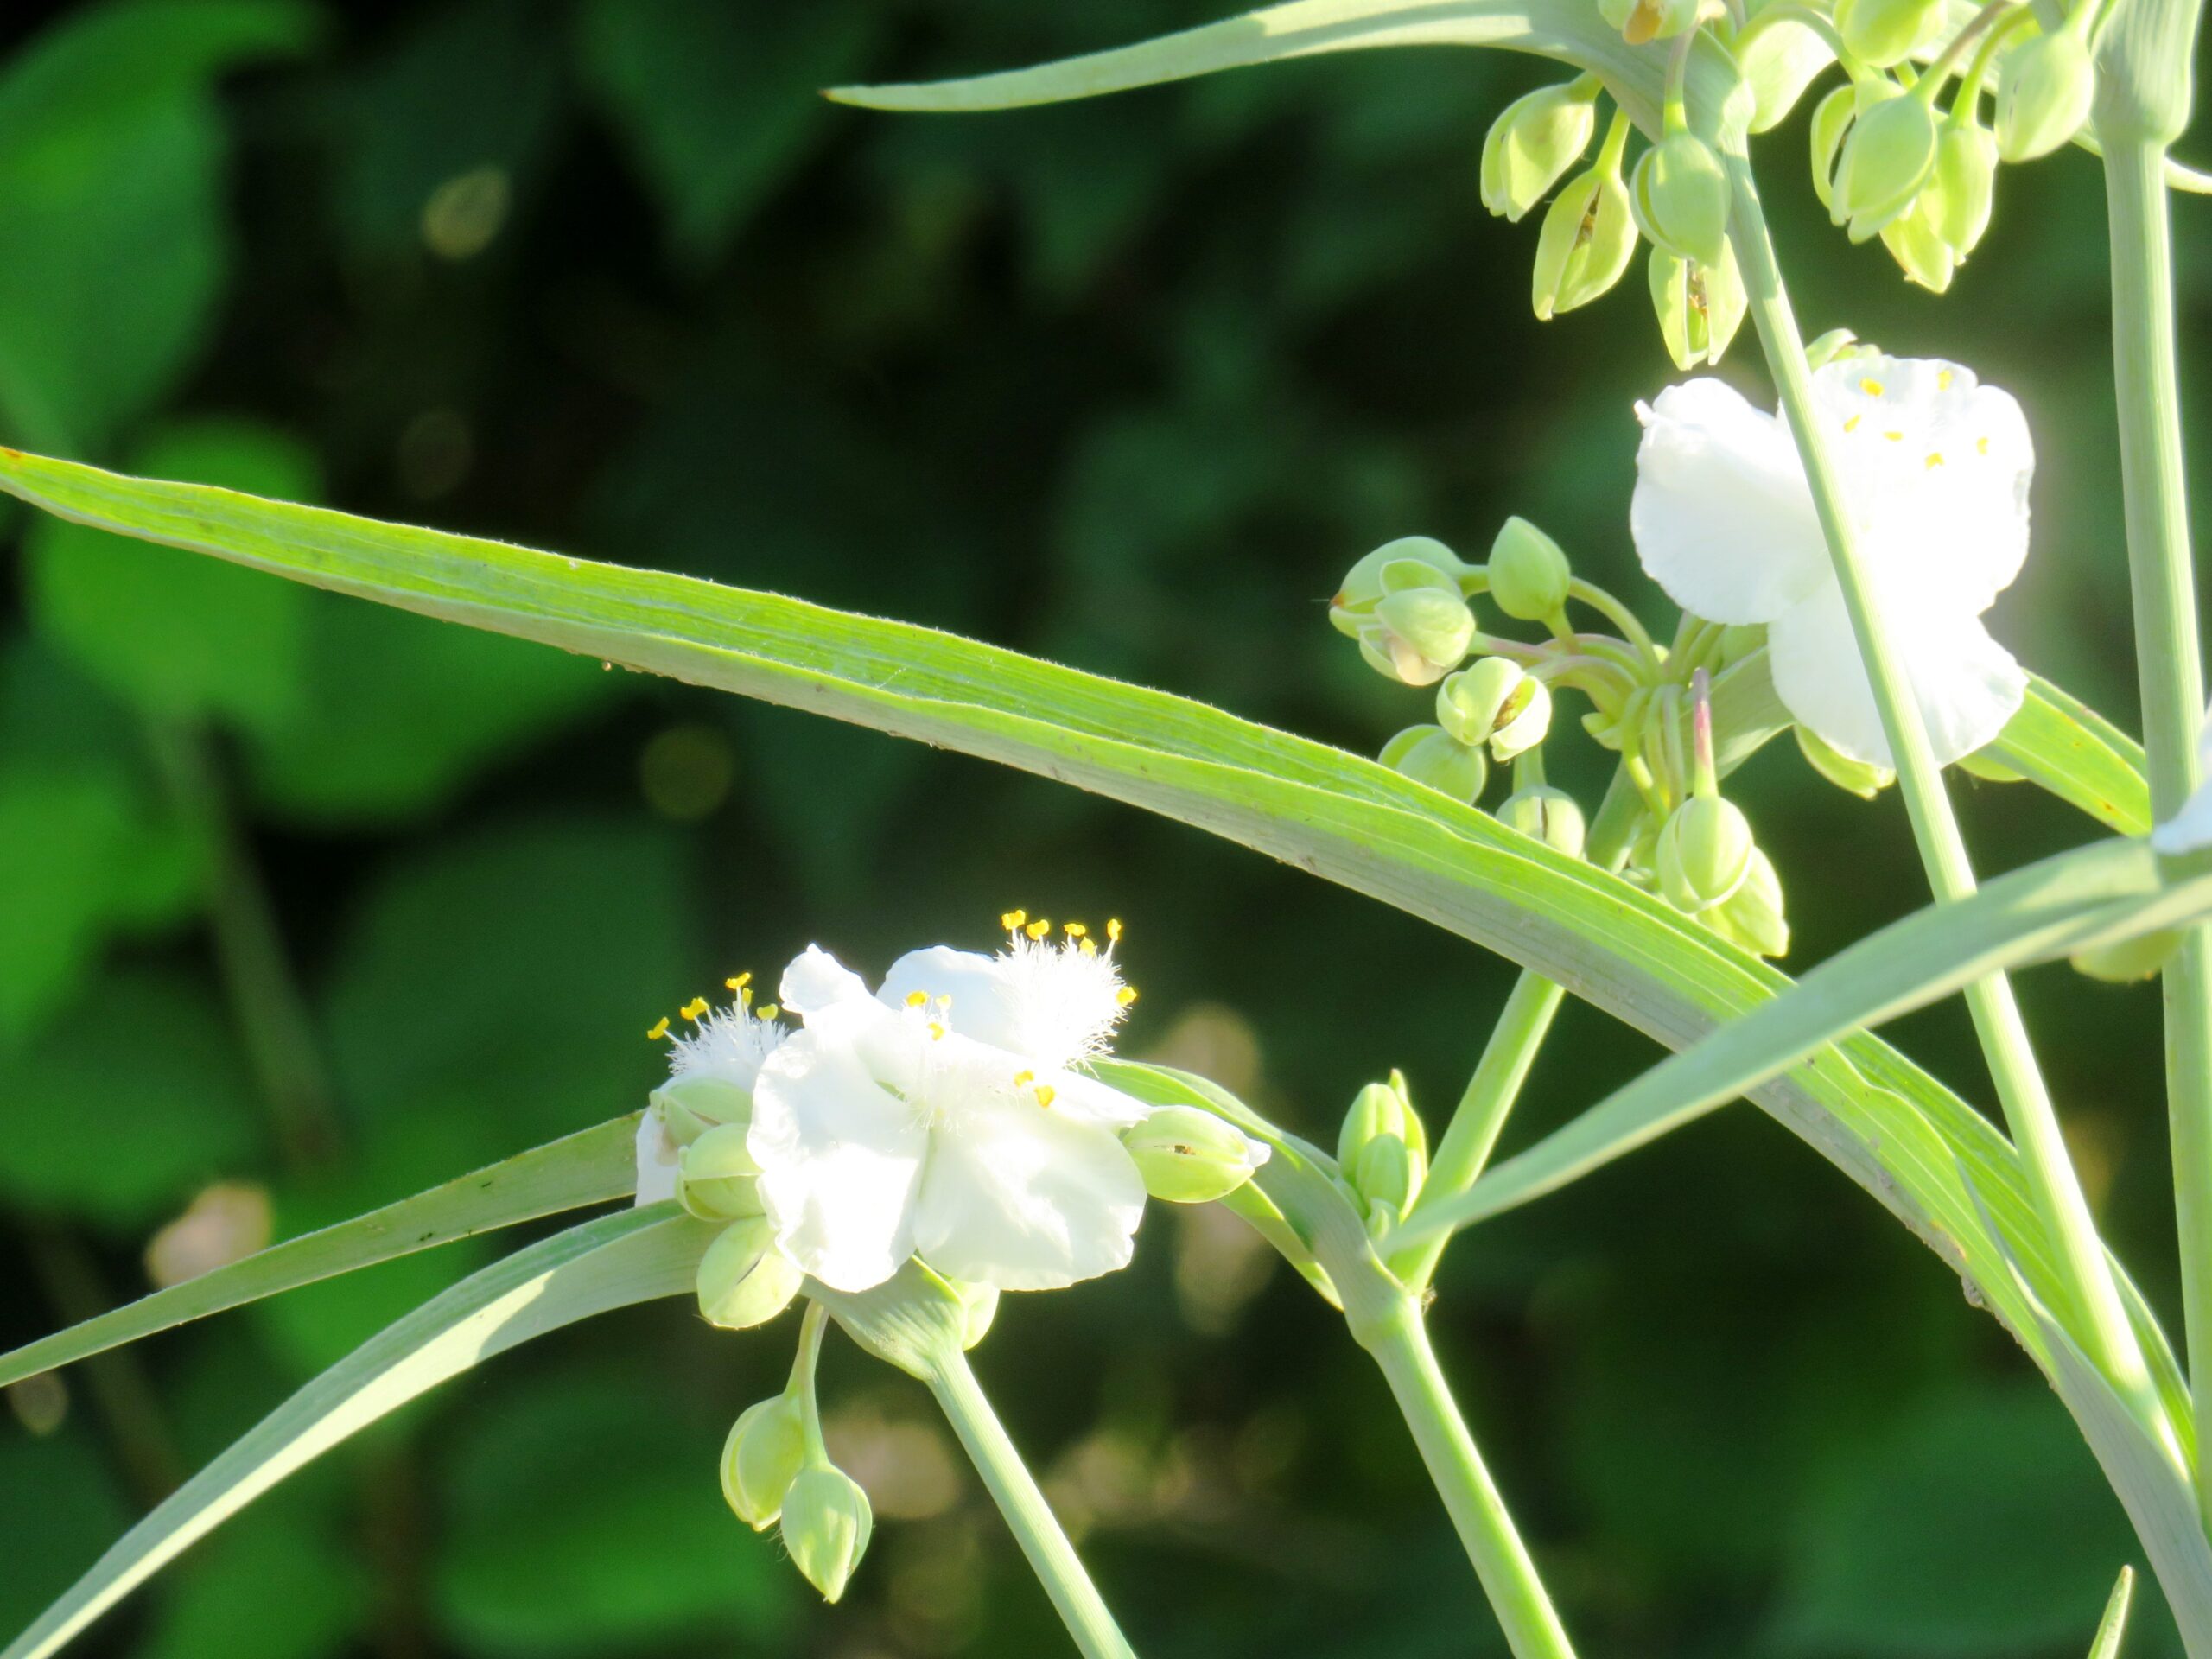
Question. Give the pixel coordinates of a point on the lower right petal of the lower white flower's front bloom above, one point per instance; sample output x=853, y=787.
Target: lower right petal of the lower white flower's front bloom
x=1027, y=1200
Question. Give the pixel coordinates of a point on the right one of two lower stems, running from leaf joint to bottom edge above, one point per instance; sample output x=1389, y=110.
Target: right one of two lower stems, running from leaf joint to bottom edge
x=1401, y=1348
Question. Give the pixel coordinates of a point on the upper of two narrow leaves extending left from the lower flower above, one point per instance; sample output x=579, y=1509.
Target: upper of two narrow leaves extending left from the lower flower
x=592, y=1167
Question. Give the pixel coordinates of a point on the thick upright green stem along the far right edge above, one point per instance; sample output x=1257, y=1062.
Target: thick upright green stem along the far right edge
x=2169, y=660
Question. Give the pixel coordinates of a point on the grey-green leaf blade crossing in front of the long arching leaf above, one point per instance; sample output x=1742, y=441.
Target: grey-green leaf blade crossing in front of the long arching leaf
x=2025, y=917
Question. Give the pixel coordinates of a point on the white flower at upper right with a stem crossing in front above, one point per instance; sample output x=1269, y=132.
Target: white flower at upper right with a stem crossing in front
x=1937, y=477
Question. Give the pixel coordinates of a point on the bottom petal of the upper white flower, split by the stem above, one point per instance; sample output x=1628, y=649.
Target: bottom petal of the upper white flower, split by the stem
x=1968, y=685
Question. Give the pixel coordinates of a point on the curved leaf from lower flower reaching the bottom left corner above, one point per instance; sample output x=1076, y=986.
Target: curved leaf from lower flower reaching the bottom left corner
x=620, y=1260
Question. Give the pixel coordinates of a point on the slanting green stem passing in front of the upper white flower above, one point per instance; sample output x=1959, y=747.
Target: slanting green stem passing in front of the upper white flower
x=2087, y=1280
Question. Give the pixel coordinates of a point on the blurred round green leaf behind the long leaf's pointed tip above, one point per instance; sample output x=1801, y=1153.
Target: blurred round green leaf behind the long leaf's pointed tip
x=182, y=638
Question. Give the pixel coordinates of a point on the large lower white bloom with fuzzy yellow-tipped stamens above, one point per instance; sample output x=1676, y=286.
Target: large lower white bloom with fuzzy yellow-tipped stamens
x=948, y=1118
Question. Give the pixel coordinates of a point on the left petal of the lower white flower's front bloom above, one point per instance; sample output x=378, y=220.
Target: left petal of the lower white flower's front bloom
x=839, y=1156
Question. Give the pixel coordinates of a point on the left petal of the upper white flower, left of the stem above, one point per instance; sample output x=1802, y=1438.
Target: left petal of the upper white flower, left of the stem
x=1722, y=517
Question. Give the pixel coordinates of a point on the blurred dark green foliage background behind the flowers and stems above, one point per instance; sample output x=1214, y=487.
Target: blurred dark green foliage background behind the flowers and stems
x=306, y=906
